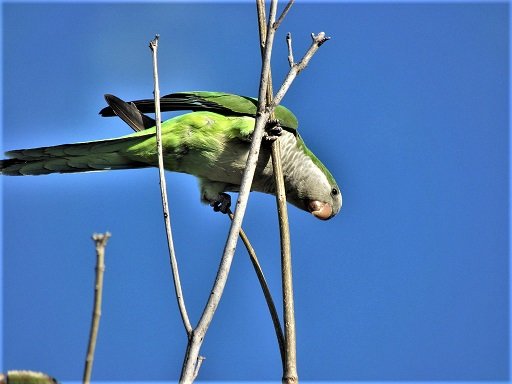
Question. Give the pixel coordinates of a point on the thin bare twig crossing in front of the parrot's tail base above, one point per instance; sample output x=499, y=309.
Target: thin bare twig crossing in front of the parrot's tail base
x=163, y=190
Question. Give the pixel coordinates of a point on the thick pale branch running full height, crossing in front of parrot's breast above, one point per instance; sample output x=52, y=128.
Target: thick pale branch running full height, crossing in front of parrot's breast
x=263, y=114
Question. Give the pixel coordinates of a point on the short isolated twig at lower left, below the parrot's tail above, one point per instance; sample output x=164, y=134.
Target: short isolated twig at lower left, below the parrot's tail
x=100, y=241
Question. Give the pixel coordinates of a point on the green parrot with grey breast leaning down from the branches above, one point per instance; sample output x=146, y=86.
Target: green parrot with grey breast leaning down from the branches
x=211, y=143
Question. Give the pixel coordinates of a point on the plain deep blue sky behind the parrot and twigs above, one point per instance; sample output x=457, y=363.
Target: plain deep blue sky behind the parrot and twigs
x=407, y=105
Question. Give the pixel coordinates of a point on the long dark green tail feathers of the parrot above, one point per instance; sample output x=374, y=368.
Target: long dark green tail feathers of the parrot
x=89, y=156
